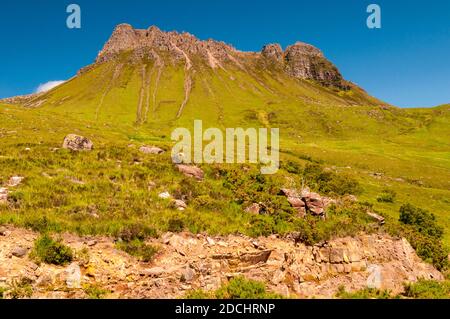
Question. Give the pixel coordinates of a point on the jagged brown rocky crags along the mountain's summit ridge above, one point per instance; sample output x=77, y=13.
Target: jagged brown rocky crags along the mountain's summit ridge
x=301, y=60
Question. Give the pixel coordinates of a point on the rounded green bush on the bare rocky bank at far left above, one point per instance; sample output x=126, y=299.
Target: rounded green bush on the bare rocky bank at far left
x=51, y=251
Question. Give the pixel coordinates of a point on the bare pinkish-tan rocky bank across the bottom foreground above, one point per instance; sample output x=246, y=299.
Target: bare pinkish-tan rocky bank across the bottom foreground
x=187, y=261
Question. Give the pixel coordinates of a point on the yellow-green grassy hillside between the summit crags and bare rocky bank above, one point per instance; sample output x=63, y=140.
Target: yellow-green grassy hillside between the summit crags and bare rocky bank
x=119, y=103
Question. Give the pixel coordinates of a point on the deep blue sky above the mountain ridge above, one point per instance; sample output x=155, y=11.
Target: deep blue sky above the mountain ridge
x=406, y=63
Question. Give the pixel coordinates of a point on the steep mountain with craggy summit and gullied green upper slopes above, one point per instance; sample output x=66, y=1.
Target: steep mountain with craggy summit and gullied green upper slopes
x=155, y=77
